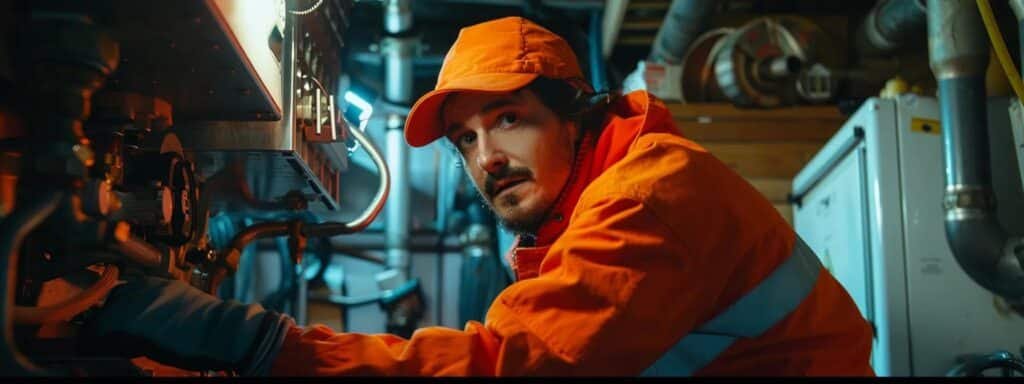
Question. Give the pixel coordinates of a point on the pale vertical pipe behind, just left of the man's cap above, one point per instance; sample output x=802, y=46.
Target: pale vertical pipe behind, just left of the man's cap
x=399, y=50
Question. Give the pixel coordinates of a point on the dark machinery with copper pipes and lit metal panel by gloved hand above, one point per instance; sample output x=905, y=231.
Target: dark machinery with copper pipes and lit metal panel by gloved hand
x=127, y=125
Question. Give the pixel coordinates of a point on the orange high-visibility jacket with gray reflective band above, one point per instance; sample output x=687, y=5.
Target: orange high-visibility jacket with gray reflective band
x=652, y=244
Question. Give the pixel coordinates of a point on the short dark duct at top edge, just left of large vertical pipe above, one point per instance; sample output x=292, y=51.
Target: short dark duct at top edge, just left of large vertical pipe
x=891, y=25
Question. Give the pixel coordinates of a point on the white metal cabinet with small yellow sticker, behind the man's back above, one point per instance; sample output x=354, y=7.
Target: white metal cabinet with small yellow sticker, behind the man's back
x=870, y=205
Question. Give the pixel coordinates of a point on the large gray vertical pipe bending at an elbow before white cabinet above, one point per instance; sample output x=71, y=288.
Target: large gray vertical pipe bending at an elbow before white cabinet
x=959, y=55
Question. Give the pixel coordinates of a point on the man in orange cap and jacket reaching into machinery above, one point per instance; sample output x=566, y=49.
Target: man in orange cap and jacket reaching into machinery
x=639, y=253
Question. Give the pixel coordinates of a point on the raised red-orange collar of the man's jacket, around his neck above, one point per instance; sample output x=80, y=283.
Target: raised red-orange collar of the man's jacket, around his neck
x=631, y=115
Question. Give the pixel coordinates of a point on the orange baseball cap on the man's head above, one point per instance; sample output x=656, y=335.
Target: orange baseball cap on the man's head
x=495, y=57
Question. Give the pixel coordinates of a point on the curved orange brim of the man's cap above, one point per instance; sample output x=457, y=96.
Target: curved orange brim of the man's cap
x=423, y=125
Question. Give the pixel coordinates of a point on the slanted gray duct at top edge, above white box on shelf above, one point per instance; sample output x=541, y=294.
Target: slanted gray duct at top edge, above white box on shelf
x=684, y=22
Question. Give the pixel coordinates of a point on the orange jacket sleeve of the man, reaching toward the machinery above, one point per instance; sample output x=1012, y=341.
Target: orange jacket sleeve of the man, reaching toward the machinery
x=610, y=301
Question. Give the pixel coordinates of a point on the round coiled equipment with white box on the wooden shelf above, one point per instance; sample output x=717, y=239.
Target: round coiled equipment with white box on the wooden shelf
x=767, y=63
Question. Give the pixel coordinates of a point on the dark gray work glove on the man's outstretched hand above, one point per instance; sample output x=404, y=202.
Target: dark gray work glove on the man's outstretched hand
x=181, y=326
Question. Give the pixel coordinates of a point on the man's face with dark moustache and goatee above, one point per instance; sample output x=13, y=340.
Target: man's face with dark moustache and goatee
x=519, y=153
